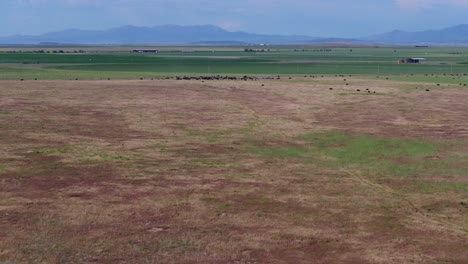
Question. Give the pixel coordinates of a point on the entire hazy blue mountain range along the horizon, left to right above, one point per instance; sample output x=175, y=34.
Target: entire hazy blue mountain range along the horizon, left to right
x=209, y=34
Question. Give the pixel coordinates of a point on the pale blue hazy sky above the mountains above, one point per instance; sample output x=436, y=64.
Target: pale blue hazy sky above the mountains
x=321, y=18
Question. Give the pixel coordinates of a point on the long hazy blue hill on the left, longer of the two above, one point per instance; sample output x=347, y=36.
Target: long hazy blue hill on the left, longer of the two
x=166, y=34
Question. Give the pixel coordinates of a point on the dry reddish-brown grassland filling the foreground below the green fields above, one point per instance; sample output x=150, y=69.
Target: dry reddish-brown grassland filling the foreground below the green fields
x=300, y=170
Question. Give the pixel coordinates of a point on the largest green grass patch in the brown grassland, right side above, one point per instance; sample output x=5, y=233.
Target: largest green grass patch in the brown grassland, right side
x=369, y=155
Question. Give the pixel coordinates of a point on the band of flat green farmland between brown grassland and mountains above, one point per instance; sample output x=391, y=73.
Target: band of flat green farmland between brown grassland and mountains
x=119, y=62
